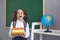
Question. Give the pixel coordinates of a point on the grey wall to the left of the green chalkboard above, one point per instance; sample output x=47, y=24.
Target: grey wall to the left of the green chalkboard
x=3, y=31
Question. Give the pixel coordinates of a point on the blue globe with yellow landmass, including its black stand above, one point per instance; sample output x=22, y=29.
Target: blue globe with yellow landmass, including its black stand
x=47, y=20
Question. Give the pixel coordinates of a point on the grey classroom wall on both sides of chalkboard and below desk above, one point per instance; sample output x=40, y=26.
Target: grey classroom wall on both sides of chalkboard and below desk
x=4, y=31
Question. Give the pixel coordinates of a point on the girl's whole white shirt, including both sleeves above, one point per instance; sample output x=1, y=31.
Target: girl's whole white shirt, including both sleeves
x=20, y=24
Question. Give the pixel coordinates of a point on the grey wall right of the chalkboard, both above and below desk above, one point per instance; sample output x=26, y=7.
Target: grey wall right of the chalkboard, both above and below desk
x=53, y=7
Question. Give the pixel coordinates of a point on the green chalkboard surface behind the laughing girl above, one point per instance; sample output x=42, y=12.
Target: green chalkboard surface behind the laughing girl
x=34, y=9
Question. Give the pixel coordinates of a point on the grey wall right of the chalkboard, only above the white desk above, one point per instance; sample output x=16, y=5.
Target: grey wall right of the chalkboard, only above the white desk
x=53, y=7
